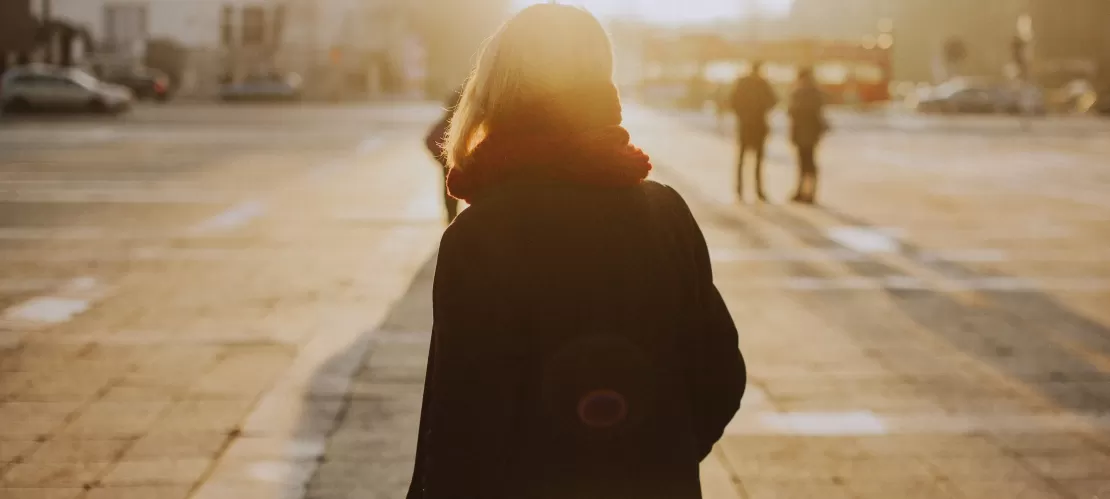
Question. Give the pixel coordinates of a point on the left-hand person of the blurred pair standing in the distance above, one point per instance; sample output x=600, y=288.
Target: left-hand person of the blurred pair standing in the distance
x=753, y=99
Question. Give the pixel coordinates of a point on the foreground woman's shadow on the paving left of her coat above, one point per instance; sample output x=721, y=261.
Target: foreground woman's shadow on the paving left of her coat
x=369, y=453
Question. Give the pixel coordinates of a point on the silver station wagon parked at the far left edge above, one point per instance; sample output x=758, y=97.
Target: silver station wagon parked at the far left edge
x=60, y=89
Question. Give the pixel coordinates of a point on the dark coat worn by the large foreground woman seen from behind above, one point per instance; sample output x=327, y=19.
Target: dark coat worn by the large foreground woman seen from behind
x=580, y=350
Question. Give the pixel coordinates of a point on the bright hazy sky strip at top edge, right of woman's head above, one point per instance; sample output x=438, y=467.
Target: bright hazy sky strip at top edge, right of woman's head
x=674, y=11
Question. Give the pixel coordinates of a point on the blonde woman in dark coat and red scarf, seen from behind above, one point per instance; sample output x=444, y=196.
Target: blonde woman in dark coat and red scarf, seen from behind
x=580, y=349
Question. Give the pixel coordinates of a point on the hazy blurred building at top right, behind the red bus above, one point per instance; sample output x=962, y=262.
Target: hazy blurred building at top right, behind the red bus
x=1064, y=30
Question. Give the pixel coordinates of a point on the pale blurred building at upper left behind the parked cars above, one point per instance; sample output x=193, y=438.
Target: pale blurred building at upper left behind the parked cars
x=341, y=48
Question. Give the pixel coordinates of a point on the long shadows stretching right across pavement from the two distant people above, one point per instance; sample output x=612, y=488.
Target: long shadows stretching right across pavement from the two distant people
x=1040, y=345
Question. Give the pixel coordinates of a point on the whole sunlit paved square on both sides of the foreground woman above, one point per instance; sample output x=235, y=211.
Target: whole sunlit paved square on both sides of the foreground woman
x=204, y=302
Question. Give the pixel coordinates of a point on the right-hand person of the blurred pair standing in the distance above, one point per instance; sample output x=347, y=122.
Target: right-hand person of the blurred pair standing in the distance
x=808, y=127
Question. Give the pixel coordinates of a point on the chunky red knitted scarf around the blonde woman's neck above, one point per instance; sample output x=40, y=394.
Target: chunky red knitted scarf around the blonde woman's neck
x=576, y=139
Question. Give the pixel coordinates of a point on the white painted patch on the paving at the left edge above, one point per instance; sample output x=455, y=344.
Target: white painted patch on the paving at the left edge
x=75, y=298
